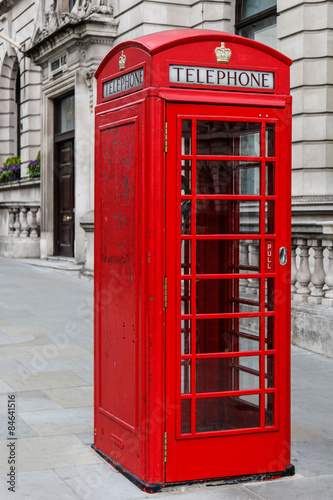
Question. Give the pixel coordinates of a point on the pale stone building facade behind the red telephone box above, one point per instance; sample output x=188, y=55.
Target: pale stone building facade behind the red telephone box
x=47, y=98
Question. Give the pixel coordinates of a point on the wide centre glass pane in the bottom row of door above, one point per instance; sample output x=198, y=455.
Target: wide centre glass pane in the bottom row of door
x=219, y=414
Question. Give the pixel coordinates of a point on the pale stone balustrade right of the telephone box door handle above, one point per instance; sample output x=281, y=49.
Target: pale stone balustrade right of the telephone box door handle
x=312, y=266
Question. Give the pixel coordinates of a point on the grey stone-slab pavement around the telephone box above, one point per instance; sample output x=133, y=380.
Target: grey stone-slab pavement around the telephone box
x=46, y=372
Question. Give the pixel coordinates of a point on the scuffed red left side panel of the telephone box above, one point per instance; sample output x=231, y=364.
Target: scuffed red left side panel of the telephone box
x=118, y=371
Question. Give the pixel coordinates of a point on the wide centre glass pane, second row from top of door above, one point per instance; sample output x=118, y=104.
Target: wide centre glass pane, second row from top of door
x=228, y=177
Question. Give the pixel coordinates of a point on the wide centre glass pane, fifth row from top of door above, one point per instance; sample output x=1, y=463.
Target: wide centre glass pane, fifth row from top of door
x=224, y=296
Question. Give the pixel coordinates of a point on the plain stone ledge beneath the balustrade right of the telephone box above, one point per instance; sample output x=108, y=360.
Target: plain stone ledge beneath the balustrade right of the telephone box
x=311, y=327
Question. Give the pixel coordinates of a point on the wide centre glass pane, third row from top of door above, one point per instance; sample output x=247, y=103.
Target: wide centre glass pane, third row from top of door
x=227, y=217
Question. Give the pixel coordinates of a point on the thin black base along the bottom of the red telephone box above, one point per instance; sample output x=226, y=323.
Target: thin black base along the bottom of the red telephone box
x=156, y=487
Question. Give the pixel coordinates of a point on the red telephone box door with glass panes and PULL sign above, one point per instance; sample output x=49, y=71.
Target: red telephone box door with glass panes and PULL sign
x=227, y=326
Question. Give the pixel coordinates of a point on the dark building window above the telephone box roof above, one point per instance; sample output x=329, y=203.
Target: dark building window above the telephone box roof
x=256, y=19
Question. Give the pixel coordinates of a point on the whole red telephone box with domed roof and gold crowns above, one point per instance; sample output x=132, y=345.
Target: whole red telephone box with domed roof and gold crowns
x=192, y=245
